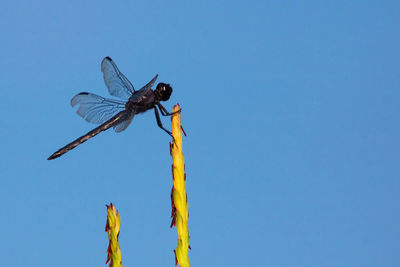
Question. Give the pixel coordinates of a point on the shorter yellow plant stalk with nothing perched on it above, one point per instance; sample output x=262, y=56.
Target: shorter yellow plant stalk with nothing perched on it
x=112, y=228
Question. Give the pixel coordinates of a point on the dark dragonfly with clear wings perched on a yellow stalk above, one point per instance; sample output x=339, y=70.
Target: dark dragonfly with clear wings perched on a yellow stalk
x=116, y=113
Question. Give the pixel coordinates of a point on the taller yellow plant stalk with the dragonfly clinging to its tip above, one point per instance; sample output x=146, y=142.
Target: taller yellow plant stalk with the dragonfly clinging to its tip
x=180, y=212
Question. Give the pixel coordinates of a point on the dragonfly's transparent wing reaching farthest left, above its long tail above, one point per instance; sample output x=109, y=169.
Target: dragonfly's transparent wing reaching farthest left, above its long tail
x=96, y=109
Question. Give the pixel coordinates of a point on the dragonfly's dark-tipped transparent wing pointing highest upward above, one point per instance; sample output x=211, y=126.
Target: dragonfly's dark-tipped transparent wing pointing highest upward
x=118, y=85
